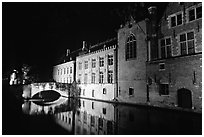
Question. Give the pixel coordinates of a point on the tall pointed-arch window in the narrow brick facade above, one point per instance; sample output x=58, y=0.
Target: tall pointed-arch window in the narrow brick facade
x=131, y=47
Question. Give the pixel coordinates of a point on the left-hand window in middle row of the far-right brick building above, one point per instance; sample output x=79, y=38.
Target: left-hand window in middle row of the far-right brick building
x=165, y=45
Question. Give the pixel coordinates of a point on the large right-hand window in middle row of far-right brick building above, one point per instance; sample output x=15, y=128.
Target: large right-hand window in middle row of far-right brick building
x=187, y=44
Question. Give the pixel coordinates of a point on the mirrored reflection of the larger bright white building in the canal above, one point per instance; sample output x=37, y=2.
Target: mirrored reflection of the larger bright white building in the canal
x=95, y=118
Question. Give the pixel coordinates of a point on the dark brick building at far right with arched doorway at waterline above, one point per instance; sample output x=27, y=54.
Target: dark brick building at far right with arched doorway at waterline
x=174, y=71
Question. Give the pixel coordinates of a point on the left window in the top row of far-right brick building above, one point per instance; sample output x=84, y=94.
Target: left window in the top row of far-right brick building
x=176, y=19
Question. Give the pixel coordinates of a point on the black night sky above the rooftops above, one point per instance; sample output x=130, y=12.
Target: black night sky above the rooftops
x=38, y=34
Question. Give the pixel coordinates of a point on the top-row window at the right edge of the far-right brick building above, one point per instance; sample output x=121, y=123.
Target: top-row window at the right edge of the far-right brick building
x=195, y=13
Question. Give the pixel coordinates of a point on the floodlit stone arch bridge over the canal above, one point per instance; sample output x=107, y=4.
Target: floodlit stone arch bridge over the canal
x=32, y=89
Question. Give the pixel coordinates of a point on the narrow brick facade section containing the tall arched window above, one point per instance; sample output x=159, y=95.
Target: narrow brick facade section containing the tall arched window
x=132, y=55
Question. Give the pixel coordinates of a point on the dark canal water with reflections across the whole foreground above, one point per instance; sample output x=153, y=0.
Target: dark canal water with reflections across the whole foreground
x=80, y=116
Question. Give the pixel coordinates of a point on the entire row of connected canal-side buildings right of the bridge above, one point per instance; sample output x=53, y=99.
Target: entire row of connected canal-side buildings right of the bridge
x=156, y=61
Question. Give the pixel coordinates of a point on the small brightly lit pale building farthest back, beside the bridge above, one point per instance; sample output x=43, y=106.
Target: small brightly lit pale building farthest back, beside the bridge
x=64, y=73
